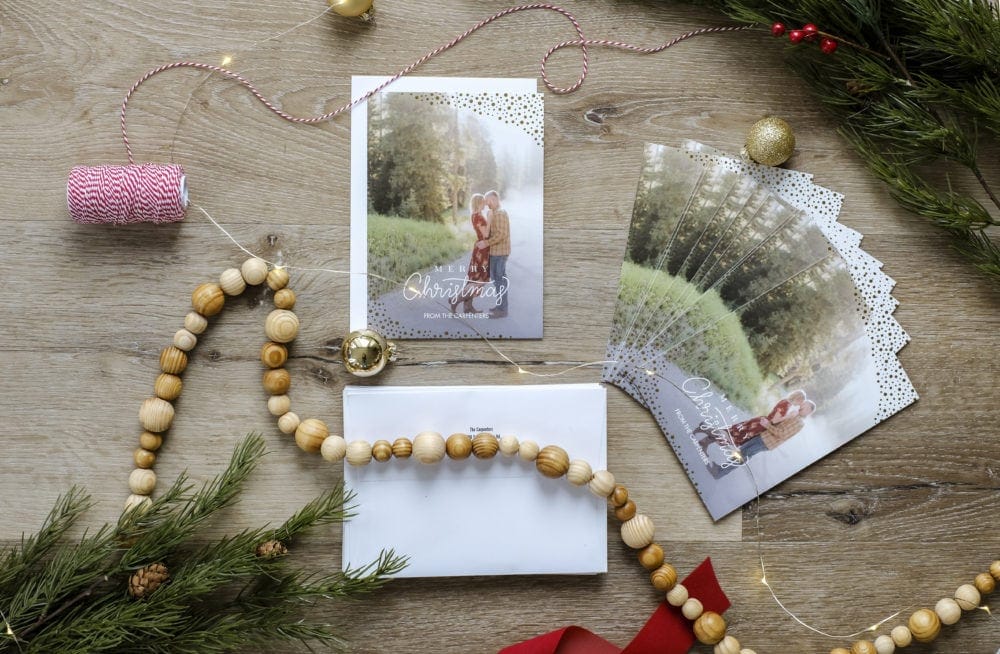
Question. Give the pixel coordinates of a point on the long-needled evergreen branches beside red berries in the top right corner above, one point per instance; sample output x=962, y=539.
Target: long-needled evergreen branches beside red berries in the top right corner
x=914, y=84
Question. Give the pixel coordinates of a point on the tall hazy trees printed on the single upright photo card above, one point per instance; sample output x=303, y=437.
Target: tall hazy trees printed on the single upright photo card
x=424, y=157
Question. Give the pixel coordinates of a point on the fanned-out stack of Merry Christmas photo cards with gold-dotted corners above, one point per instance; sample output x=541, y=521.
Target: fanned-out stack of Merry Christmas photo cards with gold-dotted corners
x=750, y=322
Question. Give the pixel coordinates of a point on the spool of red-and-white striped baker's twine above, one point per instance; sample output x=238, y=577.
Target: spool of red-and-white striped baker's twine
x=120, y=195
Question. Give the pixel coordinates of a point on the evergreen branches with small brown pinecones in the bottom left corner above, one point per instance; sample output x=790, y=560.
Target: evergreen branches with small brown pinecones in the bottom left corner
x=221, y=597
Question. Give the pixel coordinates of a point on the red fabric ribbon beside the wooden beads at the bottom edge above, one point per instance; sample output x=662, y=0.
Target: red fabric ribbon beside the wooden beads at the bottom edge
x=666, y=632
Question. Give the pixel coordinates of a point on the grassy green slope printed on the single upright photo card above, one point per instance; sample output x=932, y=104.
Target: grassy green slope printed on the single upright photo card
x=399, y=247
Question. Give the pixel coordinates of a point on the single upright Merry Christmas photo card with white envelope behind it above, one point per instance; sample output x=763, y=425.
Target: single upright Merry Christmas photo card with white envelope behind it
x=446, y=211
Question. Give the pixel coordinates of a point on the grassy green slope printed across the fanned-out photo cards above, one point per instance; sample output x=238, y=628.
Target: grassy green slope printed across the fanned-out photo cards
x=720, y=353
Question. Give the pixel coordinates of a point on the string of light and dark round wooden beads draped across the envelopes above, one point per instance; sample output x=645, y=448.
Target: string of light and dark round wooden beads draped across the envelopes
x=312, y=435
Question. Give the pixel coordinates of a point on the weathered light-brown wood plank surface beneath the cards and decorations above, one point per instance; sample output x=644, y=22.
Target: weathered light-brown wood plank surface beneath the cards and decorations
x=899, y=517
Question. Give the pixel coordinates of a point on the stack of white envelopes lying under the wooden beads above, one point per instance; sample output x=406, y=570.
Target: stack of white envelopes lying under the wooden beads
x=478, y=517
